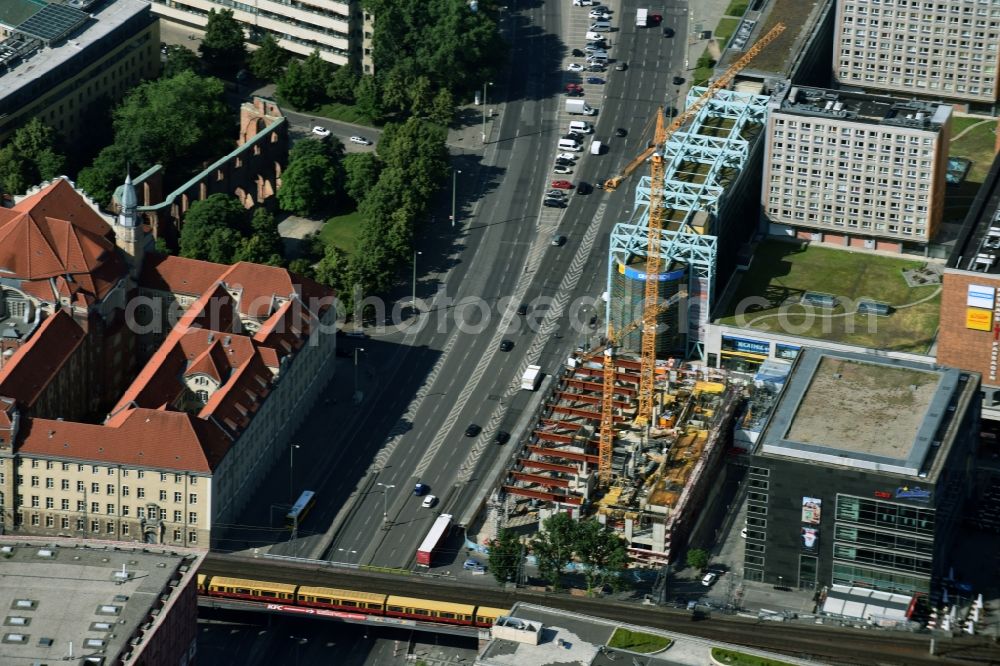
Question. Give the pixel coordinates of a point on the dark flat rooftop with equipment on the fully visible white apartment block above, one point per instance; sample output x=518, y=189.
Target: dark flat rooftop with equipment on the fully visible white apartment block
x=862, y=108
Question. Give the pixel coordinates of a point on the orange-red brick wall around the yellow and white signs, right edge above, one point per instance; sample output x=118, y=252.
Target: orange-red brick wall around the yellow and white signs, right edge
x=959, y=346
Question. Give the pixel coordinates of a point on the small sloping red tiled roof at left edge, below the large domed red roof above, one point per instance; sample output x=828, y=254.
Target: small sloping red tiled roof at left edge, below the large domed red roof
x=37, y=362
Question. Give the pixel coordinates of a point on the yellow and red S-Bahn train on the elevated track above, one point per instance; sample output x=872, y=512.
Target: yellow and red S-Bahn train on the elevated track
x=350, y=601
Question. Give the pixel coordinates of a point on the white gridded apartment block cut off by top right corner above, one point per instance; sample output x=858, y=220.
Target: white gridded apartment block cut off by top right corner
x=937, y=48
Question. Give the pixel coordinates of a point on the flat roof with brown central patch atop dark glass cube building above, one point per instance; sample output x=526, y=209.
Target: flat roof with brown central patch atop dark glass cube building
x=863, y=411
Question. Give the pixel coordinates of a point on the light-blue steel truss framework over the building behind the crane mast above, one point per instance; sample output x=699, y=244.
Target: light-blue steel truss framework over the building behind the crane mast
x=698, y=208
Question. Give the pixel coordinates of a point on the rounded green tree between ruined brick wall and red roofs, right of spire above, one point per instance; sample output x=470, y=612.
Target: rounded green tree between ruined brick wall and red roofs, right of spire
x=213, y=229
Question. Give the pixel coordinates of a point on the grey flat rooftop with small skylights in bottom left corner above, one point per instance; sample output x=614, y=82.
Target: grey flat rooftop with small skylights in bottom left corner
x=72, y=592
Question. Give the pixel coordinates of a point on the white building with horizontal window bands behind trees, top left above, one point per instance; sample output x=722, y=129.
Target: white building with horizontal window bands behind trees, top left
x=333, y=28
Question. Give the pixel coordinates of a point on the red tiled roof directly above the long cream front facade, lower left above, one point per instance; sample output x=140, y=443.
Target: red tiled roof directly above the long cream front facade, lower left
x=141, y=437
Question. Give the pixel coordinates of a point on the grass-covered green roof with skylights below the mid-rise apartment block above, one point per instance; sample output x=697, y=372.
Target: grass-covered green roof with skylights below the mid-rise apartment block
x=768, y=297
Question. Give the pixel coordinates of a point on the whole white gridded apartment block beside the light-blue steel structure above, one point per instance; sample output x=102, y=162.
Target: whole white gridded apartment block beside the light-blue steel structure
x=857, y=170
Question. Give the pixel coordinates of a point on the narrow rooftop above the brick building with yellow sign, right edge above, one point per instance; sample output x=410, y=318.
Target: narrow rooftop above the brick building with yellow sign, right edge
x=978, y=246
